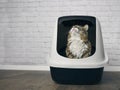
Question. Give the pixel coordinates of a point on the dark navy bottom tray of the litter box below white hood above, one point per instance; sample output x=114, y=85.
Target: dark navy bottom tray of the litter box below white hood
x=80, y=76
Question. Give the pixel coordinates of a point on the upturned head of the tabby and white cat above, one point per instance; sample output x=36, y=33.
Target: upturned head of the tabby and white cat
x=81, y=31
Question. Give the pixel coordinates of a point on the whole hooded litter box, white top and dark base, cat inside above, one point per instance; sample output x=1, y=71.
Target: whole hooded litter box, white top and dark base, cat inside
x=77, y=55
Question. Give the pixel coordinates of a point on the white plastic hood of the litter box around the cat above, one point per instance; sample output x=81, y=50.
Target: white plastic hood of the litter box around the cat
x=98, y=59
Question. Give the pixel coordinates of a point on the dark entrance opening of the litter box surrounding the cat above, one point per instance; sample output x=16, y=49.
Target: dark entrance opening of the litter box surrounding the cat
x=64, y=26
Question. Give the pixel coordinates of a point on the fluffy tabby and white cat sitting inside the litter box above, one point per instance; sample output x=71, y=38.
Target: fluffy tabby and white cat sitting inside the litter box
x=78, y=45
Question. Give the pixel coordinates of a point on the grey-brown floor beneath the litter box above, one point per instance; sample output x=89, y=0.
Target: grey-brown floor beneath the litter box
x=41, y=80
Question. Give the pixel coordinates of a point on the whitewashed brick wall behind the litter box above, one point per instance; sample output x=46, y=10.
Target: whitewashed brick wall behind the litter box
x=26, y=27
